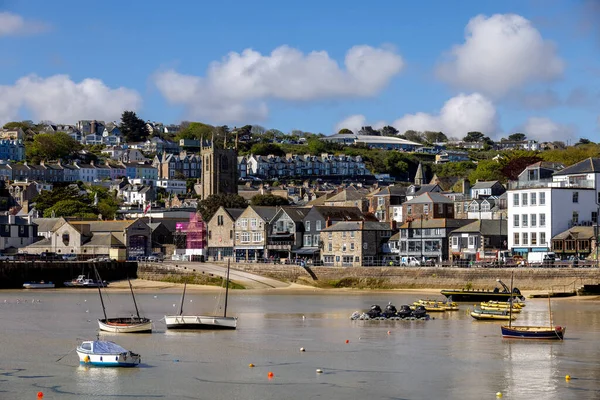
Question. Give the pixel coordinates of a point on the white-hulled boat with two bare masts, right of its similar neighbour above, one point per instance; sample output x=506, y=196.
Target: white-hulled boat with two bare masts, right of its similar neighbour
x=182, y=321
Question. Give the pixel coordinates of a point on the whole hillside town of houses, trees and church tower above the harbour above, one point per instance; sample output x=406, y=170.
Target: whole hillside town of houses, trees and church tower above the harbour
x=145, y=190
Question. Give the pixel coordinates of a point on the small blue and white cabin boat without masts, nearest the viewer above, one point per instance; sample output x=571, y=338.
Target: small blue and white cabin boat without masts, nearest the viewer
x=99, y=353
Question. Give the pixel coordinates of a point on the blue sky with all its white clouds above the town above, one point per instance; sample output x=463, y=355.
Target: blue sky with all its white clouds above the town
x=498, y=67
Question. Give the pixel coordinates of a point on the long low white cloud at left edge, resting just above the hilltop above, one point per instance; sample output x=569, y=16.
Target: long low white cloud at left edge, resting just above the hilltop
x=58, y=98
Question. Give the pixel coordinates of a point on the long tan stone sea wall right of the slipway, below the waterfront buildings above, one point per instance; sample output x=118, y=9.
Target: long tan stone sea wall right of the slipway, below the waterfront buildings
x=556, y=279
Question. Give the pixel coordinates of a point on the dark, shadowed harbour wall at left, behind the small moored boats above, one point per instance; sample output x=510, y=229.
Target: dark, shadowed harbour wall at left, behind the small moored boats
x=14, y=273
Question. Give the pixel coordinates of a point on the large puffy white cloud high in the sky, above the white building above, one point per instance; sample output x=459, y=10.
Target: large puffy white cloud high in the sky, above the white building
x=500, y=53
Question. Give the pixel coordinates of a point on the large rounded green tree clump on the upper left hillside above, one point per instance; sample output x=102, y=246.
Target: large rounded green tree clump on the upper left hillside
x=52, y=146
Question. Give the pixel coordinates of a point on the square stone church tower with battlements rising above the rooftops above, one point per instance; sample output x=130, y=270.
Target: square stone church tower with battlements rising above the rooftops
x=219, y=171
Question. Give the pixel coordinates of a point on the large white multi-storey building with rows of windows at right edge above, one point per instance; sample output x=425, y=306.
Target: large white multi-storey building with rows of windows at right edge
x=540, y=209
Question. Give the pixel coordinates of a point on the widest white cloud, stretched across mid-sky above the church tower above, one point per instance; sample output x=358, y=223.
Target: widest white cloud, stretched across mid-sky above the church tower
x=237, y=88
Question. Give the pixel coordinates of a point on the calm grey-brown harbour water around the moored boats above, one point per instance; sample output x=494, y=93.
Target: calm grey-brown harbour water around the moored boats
x=451, y=357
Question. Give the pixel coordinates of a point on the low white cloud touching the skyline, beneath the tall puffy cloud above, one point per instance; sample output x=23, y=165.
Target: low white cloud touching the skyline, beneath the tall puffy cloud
x=459, y=115
